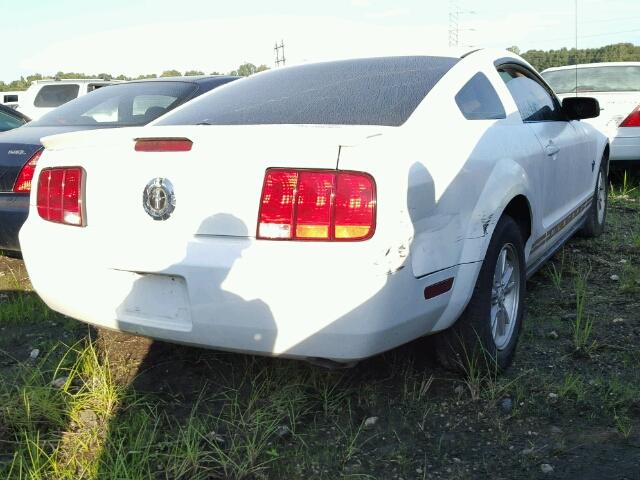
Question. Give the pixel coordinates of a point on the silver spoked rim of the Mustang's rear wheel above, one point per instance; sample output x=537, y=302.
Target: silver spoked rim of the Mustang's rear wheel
x=505, y=296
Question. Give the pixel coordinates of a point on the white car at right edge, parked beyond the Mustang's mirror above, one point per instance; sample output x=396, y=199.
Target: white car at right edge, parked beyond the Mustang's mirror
x=616, y=86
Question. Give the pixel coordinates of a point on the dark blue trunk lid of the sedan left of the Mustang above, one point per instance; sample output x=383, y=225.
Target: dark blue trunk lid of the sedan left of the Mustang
x=17, y=146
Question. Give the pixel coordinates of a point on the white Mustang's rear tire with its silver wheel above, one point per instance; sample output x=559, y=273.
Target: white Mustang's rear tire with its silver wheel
x=474, y=341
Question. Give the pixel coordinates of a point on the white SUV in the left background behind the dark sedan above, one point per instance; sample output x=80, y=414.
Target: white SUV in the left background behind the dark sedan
x=45, y=95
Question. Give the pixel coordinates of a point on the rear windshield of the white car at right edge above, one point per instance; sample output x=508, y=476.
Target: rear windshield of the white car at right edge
x=595, y=79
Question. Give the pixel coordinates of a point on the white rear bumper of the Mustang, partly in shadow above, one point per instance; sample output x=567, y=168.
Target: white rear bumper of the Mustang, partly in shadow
x=239, y=294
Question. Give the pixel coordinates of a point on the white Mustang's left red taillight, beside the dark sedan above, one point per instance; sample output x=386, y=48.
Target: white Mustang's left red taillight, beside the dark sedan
x=59, y=196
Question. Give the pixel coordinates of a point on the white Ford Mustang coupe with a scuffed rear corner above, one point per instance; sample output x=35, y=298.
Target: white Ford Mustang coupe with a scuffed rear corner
x=328, y=211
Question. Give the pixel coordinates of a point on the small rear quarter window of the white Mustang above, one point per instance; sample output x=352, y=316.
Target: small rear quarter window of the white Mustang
x=478, y=100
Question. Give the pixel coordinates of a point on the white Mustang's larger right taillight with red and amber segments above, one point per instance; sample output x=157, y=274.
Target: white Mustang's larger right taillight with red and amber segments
x=324, y=205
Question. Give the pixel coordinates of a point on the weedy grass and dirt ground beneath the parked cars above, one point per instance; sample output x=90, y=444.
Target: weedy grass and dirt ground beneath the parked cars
x=75, y=411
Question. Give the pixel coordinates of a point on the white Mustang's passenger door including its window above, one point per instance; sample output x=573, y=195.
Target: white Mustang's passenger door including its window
x=564, y=147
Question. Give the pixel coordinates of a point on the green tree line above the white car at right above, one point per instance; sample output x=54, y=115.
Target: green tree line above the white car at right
x=542, y=59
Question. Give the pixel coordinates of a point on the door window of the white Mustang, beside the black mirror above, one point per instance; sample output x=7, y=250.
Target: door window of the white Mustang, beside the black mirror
x=534, y=102
